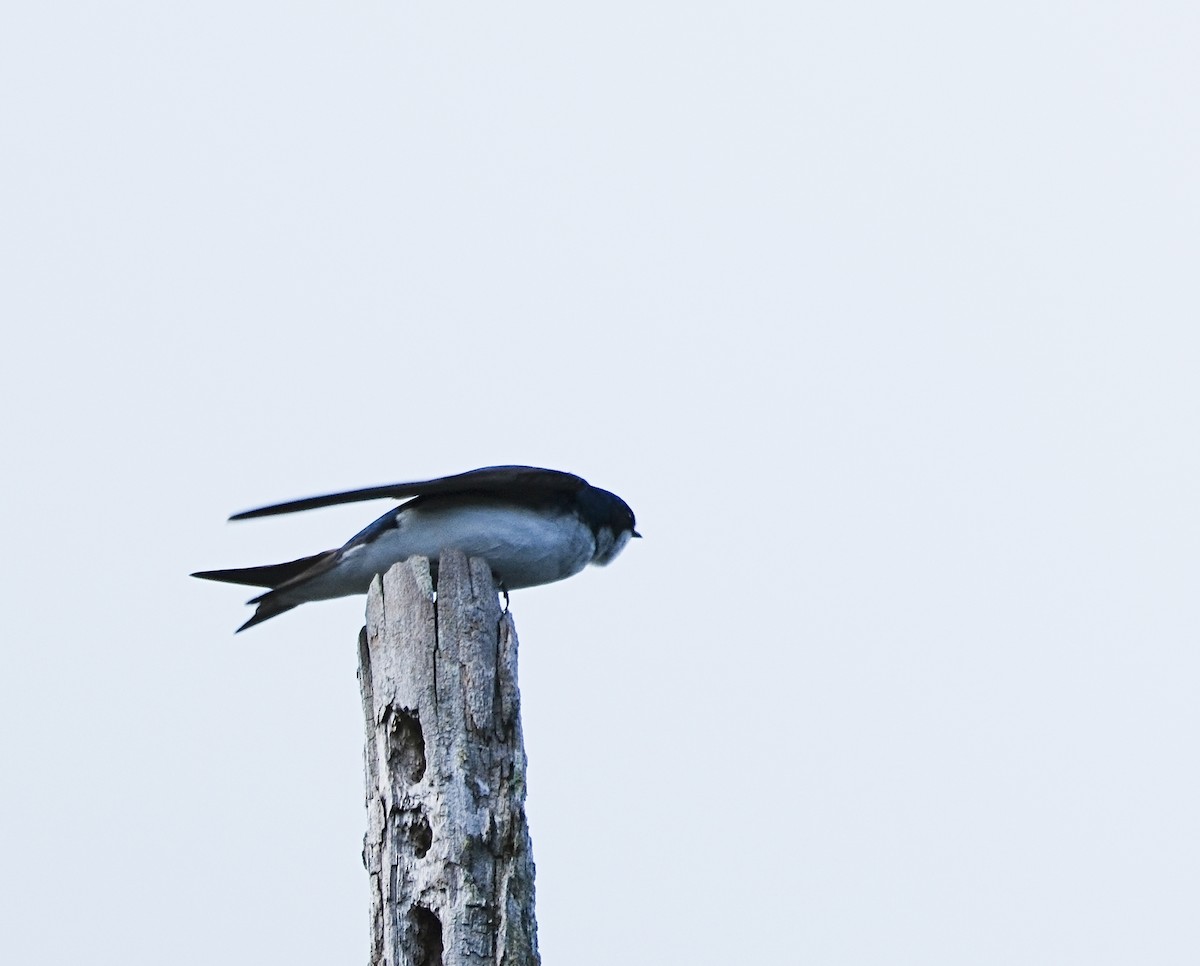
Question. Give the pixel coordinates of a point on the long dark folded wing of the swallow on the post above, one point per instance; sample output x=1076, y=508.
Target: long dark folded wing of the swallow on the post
x=495, y=481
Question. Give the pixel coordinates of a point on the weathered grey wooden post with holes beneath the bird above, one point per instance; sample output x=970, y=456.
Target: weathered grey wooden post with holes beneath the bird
x=447, y=845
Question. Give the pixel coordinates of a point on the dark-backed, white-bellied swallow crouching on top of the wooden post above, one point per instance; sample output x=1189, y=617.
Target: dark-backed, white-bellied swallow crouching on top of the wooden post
x=533, y=526
